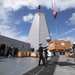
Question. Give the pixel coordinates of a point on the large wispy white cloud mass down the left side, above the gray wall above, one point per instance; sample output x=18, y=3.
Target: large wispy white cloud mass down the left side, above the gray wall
x=6, y=26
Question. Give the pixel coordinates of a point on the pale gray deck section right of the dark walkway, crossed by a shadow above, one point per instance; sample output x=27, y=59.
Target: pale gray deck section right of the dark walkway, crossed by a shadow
x=65, y=66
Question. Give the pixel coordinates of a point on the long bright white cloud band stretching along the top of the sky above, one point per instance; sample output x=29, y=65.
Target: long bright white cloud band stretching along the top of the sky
x=33, y=4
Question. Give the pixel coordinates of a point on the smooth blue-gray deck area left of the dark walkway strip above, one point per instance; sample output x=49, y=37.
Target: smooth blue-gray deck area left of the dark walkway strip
x=17, y=66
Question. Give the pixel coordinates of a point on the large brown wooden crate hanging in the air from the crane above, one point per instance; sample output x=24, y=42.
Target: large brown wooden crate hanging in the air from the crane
x=59, y=45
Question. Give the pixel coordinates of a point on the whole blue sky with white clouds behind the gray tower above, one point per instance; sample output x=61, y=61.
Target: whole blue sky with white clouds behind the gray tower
x=16, y=18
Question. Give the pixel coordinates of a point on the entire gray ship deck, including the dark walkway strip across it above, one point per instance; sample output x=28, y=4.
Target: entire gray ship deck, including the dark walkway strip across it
x=28, y=66
